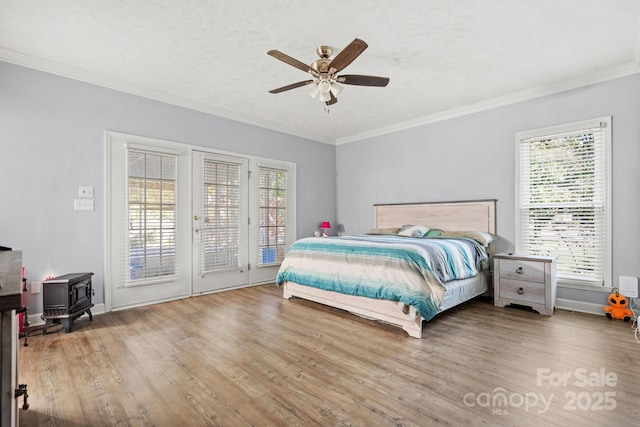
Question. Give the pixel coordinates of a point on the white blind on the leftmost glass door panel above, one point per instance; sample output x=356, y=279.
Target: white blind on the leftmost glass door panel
x=152, y=206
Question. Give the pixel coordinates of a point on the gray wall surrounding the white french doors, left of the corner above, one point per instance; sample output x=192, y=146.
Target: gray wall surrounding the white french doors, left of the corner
x=51, y=141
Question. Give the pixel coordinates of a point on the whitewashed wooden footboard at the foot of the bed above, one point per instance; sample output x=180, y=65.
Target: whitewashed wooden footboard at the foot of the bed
x=393, y=312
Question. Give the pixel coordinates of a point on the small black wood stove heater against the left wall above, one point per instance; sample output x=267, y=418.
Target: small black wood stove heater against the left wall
x=66, y=298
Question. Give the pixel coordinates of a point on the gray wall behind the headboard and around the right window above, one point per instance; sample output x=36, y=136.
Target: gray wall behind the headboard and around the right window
x=472, y=157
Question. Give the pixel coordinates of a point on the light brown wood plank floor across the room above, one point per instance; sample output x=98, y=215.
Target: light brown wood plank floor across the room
x=250, y=358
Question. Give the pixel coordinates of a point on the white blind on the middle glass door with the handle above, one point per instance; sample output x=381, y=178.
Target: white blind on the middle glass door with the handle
x=220, y=240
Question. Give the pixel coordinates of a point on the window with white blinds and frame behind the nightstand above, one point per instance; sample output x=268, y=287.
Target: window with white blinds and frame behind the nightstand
x=563, y=199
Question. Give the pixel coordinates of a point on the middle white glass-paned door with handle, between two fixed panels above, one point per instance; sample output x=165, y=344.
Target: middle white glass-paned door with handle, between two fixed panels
x=220, y=231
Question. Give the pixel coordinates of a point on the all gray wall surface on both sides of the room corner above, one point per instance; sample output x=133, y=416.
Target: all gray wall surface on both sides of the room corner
x=51, y=131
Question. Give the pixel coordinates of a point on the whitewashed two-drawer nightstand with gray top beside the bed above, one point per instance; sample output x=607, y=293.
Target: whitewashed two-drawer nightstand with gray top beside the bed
x=526, y=280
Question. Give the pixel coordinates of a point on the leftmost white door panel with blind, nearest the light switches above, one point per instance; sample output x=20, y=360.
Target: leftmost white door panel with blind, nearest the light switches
x=148, y=250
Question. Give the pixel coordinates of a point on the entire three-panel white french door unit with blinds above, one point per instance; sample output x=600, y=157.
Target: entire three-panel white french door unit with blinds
x=181, y=221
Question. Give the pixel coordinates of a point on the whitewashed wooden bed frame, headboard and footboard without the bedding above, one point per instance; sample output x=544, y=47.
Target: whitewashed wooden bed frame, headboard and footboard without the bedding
x=477, y=215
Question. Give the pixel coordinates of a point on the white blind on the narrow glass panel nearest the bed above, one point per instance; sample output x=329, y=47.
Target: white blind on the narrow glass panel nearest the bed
x=272, y=230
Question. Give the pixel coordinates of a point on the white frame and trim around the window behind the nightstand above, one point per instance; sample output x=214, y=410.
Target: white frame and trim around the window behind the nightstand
x=605, y=124
